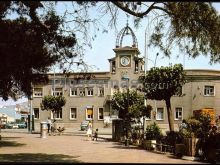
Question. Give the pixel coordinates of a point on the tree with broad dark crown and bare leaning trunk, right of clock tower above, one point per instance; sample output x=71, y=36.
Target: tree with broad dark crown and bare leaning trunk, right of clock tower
x=162, y=83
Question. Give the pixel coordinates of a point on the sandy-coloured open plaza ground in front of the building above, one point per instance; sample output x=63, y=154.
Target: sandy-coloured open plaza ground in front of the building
x=22, y=147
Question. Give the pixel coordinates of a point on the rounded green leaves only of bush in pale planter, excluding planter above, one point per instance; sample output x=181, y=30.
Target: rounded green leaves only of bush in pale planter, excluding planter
x=153, y=132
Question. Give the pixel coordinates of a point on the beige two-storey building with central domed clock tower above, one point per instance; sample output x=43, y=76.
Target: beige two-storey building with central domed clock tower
x=88, y=95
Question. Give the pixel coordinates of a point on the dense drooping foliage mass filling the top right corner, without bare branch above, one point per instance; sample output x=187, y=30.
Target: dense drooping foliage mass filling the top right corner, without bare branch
x=198, y=24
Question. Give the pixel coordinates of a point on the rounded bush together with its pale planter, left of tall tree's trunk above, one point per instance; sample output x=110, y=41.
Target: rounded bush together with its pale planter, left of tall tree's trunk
x=152, y=136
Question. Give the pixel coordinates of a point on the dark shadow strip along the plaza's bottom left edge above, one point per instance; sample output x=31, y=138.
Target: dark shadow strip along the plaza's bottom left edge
x=38, y=157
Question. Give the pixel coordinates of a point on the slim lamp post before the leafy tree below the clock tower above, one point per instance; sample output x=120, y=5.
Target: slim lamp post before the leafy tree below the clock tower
x=126, y=77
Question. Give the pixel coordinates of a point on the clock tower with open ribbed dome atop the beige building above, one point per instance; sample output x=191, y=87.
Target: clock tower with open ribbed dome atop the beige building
x=126, y=60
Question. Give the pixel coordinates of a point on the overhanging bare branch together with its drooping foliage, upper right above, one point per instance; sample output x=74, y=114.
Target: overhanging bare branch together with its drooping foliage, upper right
x=191, y=26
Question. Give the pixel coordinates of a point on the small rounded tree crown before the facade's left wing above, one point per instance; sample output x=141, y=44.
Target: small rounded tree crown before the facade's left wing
x=53, y=103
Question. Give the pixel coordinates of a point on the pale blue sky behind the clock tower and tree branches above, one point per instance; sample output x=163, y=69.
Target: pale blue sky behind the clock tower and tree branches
x=104, y=43
